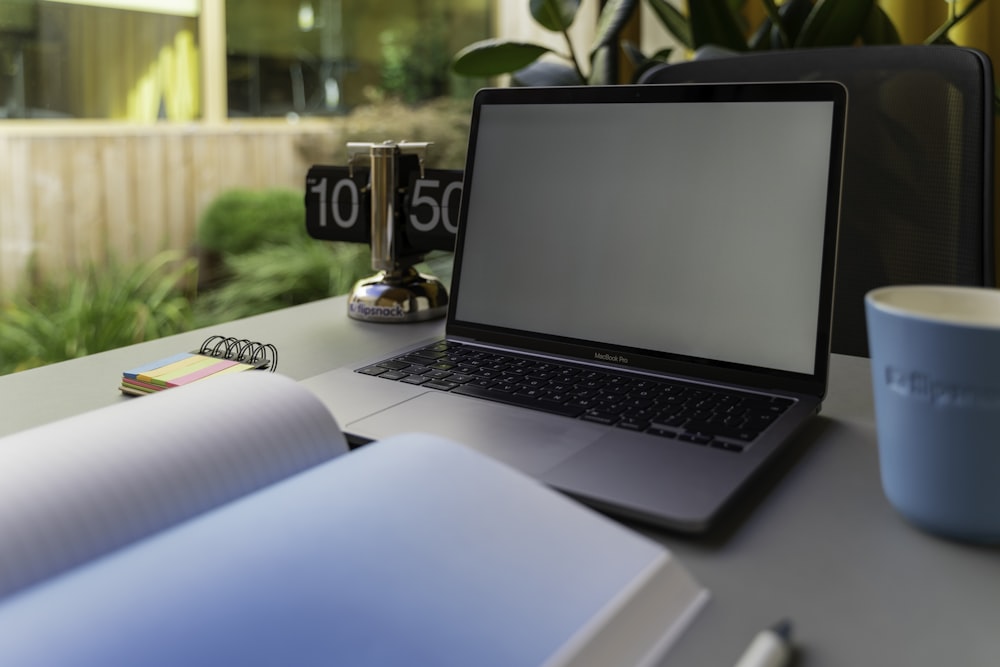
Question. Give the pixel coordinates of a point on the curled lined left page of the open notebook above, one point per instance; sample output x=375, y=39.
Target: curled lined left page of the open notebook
x=79, y=488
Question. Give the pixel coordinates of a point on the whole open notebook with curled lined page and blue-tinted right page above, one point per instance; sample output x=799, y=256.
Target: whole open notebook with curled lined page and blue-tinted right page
x=225, y=523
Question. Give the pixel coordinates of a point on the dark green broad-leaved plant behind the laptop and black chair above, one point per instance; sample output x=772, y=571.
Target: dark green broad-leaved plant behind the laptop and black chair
x=708, y=27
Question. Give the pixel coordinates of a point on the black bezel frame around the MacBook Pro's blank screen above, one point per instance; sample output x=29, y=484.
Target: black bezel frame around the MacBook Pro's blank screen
x=771, y=380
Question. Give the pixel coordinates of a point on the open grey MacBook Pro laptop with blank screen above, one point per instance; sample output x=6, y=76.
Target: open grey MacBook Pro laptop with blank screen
x=642, y=293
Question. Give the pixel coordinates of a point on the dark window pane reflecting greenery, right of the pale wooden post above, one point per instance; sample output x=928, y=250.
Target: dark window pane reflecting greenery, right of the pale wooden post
x=327, y=56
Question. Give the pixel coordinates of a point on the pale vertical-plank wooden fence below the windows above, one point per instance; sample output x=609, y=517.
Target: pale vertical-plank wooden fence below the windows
x=80, y=193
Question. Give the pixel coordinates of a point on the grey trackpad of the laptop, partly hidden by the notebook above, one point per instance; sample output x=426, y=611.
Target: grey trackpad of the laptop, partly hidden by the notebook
x=528, y=440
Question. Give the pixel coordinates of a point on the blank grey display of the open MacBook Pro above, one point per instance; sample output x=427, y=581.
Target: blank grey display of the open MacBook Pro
x=692, y=228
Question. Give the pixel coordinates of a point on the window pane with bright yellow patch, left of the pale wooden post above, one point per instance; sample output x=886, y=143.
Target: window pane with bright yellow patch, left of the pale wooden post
x=82, y=60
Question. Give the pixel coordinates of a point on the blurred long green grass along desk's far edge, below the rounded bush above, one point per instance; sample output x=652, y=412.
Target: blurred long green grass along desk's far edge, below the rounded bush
x=116, y=305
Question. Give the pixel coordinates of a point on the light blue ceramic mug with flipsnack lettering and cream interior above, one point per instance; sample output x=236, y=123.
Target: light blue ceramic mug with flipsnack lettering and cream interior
x=935, y=359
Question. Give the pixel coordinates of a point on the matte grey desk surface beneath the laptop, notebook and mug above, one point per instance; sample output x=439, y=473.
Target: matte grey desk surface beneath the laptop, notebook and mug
x=815, y=541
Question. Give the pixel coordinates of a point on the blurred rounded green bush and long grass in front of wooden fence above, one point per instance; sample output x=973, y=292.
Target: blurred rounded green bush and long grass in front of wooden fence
x=267, y=262
